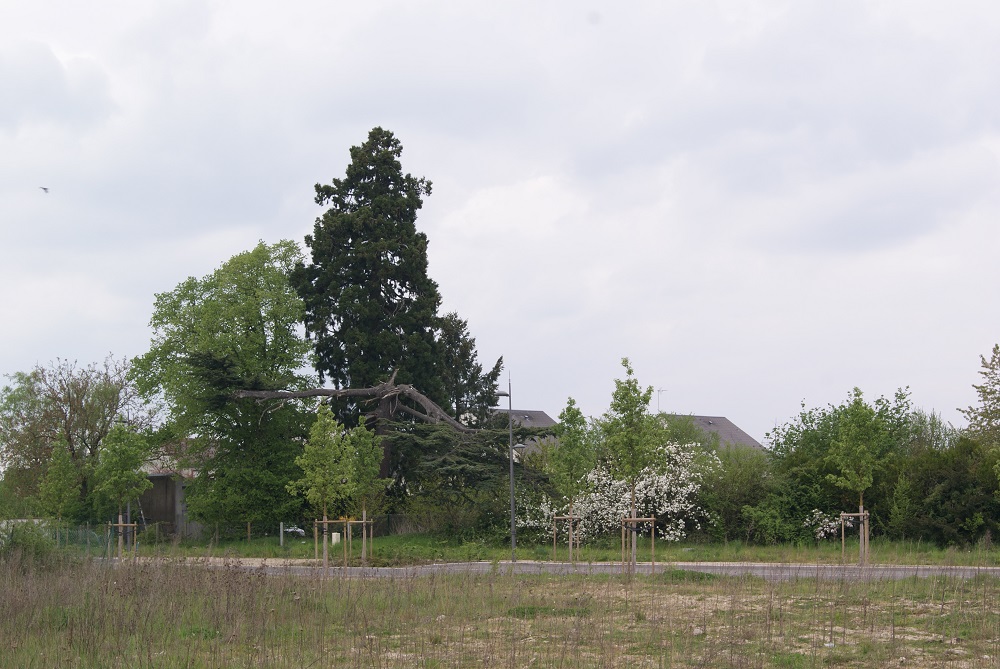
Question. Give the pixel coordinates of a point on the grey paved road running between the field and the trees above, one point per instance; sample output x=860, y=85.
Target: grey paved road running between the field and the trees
x=768, y=571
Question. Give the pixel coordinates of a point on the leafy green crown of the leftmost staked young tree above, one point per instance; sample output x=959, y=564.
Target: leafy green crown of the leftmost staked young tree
x=118, y=477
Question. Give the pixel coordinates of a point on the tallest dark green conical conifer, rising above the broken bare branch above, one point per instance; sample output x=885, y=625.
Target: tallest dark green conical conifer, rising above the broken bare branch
x=369, y=304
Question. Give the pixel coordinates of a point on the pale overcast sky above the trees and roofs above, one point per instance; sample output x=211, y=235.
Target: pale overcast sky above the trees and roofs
x=760, y=204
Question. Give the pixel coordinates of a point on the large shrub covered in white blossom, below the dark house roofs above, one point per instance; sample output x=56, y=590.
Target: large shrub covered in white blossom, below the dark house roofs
x=668, y=491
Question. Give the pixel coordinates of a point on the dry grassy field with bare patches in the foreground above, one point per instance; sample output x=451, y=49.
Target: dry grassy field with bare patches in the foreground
x=173, y=614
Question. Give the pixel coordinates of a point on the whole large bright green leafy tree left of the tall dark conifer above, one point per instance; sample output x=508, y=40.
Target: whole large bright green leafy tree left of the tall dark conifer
x=235, y=329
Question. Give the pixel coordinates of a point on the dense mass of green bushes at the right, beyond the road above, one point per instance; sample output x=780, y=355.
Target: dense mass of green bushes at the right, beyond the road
x=917, y=476
